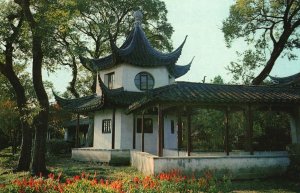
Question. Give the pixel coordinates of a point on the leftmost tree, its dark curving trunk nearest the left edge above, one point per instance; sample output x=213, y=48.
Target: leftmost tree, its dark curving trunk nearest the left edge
x=11, y=23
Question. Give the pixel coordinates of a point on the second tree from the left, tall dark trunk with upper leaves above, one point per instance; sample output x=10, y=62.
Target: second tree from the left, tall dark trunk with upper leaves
x=39, y=27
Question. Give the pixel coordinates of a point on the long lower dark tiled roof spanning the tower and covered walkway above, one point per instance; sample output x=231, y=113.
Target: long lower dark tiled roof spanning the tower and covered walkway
x=187, y=93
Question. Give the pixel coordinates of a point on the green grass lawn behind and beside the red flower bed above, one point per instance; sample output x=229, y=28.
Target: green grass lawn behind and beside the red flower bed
x=69, y=168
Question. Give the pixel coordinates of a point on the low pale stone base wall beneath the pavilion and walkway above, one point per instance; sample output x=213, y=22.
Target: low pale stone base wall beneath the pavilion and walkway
x=238, y=165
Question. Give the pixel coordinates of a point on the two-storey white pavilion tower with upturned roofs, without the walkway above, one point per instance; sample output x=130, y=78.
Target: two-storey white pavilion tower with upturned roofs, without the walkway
x=125, y=76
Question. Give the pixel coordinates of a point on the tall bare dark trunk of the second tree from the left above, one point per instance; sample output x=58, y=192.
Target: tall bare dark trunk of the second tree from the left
x=41, y=120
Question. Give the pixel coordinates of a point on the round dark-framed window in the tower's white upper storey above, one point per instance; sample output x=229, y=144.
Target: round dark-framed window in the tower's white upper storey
x=144, y=81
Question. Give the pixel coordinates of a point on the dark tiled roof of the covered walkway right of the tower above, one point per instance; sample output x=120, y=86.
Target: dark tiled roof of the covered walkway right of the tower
x=200, y=93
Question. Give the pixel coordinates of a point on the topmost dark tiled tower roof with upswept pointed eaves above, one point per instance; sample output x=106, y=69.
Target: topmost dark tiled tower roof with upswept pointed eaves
x=137, y=50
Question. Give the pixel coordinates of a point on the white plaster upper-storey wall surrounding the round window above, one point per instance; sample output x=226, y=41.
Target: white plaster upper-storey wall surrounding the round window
x=125, y=74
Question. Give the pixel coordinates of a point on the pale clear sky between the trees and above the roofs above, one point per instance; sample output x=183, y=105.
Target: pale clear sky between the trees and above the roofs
x=201, y=20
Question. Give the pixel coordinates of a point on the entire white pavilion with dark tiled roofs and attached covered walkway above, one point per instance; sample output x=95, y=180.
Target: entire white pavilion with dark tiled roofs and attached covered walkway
x=139, y=105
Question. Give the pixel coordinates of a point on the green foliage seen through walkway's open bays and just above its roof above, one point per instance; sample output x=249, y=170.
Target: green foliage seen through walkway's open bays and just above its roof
x=271, y=130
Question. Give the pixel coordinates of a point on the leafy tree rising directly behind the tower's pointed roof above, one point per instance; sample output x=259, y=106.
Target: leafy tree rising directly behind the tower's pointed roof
x=88, y=32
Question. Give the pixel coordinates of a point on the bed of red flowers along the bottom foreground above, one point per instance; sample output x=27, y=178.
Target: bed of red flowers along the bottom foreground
x=172, y=181
